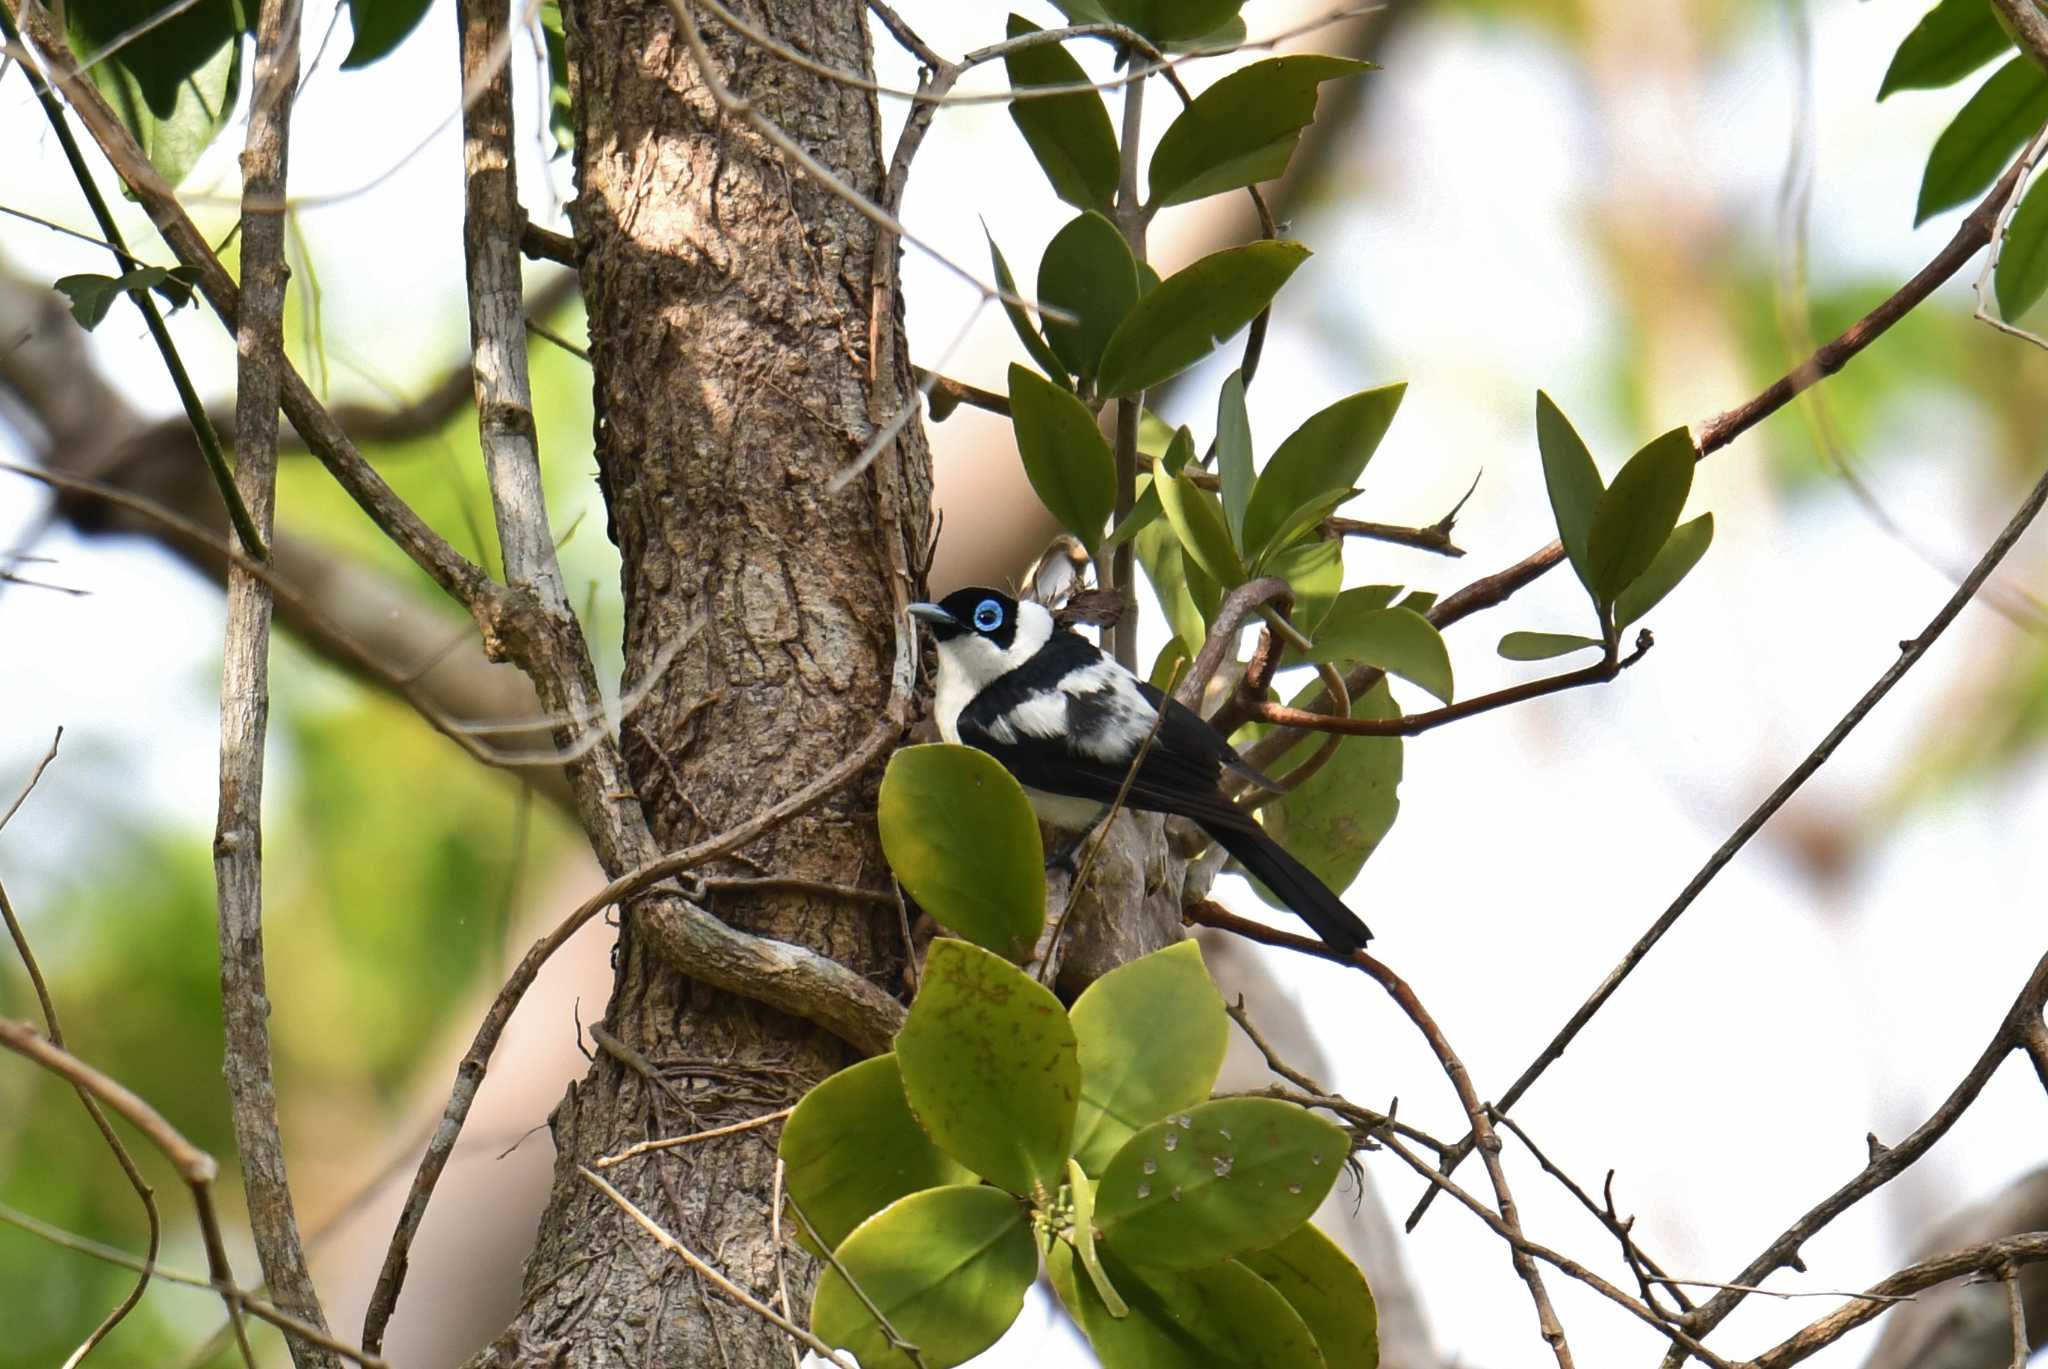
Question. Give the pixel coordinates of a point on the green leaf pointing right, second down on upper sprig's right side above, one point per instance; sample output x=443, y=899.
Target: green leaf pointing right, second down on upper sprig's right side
x=1193, y=313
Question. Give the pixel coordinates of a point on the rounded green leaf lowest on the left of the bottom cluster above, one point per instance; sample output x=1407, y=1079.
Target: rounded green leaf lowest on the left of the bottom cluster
x=949, y=1270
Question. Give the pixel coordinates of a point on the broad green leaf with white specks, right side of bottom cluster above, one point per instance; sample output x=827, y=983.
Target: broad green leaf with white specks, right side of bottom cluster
x=1215, y=1181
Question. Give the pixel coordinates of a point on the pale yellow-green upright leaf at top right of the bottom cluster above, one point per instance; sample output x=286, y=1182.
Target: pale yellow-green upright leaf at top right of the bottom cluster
x=1150, y=1038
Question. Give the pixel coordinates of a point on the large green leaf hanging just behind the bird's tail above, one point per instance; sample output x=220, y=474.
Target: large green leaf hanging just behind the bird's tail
x=1336, y=819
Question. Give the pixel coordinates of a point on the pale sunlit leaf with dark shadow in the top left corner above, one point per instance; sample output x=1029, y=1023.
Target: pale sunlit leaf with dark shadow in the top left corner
x=175, y=89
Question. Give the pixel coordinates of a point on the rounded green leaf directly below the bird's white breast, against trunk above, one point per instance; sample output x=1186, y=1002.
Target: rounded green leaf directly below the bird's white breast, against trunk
x=966, y=843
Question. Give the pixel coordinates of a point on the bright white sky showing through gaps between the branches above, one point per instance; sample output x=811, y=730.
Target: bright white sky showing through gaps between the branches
x=1734, y=1079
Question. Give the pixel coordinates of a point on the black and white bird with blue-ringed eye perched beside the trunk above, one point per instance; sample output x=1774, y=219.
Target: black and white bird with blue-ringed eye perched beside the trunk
x=1068, y=722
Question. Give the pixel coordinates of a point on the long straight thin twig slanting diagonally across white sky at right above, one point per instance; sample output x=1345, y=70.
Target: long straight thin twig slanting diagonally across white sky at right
x=1910, y=657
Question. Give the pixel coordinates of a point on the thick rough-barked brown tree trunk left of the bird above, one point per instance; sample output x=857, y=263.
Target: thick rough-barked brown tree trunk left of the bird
x=730, y=325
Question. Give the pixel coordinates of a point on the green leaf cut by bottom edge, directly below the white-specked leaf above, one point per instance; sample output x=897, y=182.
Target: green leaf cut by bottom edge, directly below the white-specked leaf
x=1203, y=1319
